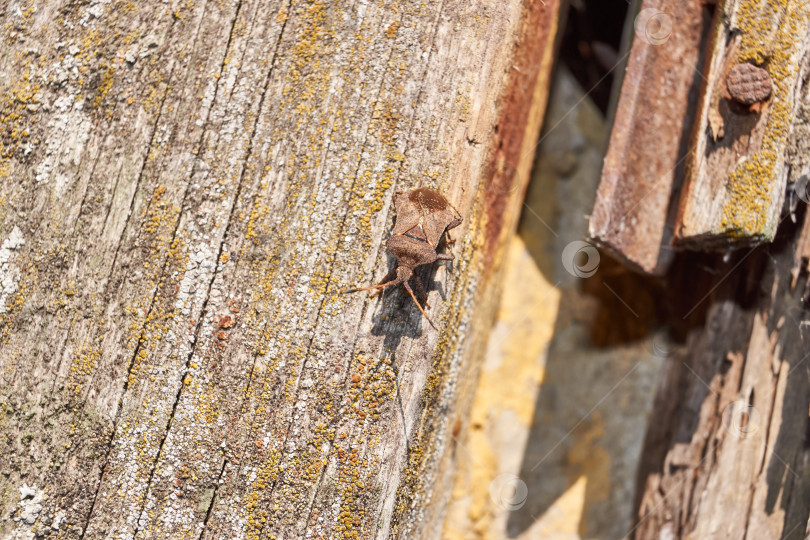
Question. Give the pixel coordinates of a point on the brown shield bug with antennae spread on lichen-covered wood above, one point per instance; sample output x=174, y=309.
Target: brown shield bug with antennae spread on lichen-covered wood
x=423, y=216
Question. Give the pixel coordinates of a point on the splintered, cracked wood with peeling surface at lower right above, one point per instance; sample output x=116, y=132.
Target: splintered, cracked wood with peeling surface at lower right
x=726, y=455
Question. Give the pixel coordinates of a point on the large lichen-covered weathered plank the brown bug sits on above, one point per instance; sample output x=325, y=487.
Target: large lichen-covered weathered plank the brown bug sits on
x=186, y=186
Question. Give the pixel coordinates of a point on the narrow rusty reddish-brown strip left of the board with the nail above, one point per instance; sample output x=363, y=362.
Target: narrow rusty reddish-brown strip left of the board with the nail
x=633, y=215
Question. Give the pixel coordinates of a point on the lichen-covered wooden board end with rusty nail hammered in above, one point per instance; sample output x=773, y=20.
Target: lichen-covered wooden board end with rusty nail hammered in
x=736, y=175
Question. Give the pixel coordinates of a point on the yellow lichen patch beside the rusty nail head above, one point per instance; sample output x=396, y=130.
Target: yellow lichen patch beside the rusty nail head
x=750, y=186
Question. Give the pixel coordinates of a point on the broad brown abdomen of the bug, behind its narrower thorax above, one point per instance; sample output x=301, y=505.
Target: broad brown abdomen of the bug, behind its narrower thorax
x=424, y=214
